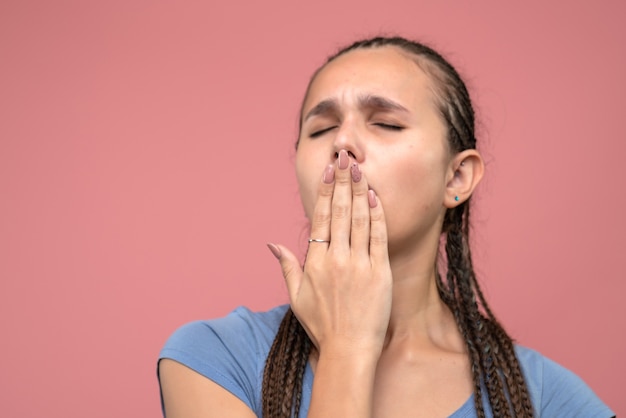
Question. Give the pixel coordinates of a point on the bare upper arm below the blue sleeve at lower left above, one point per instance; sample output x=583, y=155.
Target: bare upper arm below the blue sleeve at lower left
x=188, y=394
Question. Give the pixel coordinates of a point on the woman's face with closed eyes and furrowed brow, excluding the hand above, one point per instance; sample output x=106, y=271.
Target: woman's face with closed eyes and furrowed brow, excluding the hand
x=378, y=105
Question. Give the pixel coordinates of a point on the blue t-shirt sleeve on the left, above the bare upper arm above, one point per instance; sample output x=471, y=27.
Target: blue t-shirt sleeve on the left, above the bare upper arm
x=230, y=351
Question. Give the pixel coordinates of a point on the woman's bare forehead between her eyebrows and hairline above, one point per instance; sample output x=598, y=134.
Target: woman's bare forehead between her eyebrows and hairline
x=385, y=71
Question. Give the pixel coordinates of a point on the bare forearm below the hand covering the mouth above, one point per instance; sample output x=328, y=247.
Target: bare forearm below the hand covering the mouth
x=343, y=386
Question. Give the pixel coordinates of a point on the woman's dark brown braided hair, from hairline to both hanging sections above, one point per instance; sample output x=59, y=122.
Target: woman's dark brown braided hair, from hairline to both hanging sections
x=494, y=365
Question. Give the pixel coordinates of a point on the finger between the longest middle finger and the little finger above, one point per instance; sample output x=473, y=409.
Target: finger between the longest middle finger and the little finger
x=360, y=225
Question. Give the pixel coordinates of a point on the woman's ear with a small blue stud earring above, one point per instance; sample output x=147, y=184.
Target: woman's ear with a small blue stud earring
x=465, y=171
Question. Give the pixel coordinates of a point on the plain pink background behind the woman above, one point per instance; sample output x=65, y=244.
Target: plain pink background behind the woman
x=146, y=156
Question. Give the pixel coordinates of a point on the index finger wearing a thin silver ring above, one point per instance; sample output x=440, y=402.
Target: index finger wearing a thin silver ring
x=321, y=219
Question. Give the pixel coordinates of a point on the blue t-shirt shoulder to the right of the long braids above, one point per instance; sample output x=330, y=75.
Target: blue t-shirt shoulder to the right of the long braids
x=560, y=392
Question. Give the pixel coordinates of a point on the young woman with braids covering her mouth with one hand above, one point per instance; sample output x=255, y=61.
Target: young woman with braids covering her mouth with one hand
x=386, y=163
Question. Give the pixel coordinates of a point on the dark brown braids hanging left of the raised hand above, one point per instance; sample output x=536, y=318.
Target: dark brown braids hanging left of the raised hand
x=284, y=369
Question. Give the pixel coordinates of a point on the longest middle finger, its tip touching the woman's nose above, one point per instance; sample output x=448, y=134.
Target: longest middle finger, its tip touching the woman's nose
x=341, y=206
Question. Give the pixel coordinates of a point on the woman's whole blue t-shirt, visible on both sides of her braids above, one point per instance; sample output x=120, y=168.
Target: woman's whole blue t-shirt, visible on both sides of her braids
x=231, y=351
